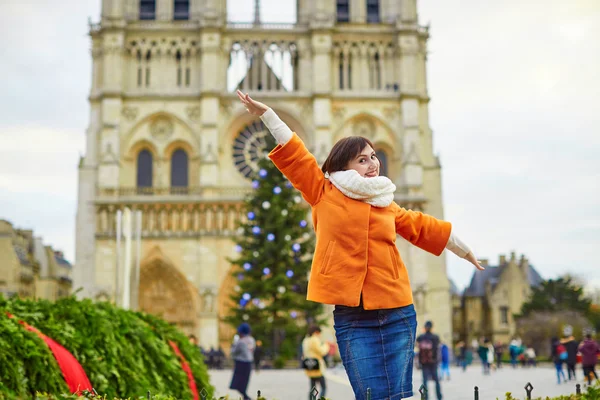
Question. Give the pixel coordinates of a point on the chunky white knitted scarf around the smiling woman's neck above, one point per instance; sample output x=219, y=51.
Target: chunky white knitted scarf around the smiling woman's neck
x=377, y=191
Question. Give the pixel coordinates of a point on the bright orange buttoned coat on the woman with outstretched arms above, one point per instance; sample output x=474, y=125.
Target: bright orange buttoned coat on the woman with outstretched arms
x=356, y=243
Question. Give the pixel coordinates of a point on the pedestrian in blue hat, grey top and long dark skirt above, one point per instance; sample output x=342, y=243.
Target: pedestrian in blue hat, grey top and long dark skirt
x=242, y=352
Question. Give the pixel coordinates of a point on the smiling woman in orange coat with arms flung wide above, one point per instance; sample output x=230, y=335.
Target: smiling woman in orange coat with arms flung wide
x=356, y=265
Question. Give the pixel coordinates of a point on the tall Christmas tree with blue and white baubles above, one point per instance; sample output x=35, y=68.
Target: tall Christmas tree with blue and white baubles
x=275, y=245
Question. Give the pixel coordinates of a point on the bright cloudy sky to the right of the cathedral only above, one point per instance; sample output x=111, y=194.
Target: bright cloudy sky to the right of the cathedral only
x=514, y=113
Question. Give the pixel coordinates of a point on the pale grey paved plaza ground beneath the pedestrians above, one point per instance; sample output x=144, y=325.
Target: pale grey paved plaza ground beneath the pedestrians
x=293, y=384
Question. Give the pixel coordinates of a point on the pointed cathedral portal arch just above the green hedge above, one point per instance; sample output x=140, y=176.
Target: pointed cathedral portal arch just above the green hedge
x=165, y=292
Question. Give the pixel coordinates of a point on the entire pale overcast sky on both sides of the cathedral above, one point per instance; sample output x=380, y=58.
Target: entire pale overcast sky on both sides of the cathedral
x=515, y=110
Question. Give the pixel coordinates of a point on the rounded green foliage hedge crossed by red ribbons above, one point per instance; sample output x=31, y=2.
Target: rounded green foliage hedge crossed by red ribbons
x=124, y=353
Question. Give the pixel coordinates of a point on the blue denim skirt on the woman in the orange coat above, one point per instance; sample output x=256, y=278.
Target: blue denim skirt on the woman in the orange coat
x=377, y=349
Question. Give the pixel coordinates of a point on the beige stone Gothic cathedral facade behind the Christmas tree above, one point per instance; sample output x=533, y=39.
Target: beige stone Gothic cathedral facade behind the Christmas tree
x=167, y=137
